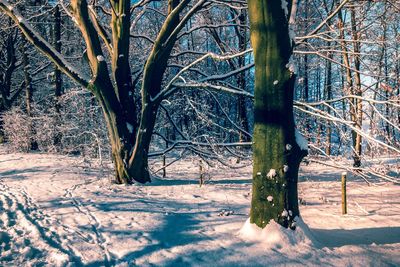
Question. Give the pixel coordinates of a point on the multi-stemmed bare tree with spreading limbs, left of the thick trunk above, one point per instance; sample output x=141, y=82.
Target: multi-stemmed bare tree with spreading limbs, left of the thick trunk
x=129, y=136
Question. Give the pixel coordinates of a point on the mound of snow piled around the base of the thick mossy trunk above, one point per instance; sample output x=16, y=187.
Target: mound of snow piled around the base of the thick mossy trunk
x=276, y=236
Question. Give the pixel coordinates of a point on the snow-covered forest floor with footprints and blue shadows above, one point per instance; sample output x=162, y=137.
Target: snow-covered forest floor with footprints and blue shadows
x=60, y=211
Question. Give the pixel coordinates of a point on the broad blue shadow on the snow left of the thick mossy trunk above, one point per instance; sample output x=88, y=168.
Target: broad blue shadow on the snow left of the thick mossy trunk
x=176, y=224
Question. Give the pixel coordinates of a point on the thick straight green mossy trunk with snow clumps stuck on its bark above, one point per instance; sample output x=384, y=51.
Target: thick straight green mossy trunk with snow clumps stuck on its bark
x=276, y=153
